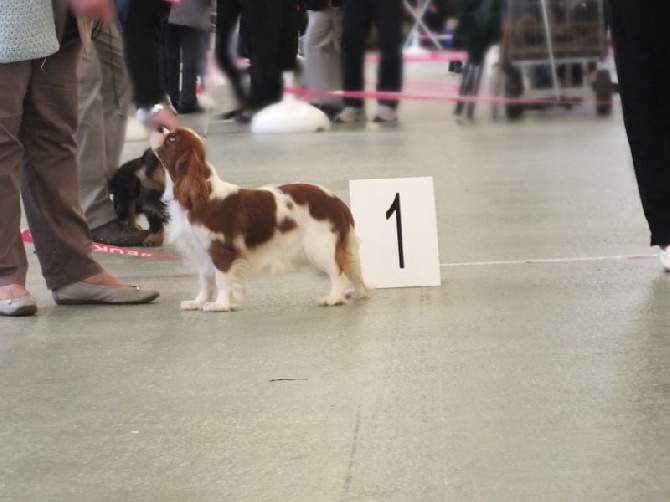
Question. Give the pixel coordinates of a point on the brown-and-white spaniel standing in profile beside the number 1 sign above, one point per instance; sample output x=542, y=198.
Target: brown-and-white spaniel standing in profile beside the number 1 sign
x=228, y=231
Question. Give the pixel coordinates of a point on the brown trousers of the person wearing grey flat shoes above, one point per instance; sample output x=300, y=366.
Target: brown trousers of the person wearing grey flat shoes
x=38, y=119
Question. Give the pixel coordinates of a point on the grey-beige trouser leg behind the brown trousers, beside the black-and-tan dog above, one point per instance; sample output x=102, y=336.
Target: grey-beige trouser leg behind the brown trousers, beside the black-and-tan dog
x=103, y=114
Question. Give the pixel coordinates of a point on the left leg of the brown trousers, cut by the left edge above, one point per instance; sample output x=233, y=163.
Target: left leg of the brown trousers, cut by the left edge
x=14, y=78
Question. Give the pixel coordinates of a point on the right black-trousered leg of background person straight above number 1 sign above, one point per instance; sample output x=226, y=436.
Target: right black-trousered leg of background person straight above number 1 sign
x=388, y=19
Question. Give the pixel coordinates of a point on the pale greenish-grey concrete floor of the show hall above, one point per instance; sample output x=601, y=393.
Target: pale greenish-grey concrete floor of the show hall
x=513, y=381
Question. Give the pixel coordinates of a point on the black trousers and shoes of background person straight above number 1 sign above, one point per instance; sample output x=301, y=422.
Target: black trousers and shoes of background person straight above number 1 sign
x=357, y=21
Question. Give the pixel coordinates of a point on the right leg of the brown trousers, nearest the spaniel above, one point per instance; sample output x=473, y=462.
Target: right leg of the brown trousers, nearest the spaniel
x=49, y=182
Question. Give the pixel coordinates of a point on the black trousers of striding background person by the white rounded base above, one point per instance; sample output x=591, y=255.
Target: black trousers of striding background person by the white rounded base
x=273, y=39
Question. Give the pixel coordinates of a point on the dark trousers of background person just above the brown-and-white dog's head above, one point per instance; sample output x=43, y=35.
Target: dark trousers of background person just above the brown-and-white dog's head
x=183, y=47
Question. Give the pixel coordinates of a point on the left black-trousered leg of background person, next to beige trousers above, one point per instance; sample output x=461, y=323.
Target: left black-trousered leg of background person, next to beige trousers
x=356, y=23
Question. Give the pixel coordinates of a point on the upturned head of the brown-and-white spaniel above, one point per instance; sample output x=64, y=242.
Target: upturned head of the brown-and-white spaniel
x=182, y=153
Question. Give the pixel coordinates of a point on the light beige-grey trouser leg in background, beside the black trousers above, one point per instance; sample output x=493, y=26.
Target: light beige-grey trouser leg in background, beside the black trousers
x=323, y=67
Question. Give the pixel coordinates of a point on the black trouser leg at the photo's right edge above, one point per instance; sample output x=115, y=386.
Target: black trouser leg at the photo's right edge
x=642, y=51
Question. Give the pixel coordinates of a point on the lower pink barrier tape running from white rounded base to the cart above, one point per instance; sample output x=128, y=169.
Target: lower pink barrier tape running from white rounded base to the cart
x=406, y=96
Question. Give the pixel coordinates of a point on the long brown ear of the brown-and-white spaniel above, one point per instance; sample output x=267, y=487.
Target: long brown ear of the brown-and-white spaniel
x=191, y=188
